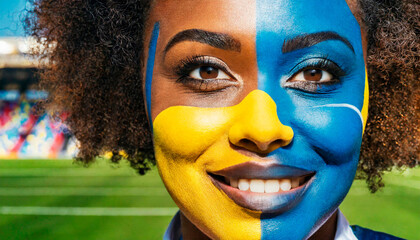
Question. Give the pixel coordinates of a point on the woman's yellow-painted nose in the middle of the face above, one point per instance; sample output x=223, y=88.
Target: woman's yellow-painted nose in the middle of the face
x=257, y=127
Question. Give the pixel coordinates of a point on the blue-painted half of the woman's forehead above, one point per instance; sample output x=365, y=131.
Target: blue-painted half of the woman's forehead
x=288, y=17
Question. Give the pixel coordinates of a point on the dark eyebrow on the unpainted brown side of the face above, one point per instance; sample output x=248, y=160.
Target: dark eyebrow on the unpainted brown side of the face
x=214, y=39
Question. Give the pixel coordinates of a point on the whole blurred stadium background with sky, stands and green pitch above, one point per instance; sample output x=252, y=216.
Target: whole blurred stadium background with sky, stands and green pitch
x=44, y=195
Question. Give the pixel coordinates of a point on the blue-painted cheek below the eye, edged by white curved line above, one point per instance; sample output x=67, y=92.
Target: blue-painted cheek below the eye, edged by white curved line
x=334, y=131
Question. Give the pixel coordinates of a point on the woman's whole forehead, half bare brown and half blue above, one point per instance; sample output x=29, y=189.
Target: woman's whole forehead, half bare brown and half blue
x=244, y=15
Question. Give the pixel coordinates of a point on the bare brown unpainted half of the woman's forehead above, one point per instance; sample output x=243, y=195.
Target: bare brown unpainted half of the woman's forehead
x=234, y=16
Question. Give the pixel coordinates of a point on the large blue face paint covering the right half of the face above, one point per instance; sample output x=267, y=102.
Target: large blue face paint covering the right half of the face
x=325, y=118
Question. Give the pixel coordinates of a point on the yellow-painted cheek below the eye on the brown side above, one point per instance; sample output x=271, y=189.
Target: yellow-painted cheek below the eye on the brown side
x=185, y=132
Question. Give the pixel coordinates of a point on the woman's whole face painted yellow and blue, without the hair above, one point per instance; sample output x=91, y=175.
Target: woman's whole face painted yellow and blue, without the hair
x=258, y=109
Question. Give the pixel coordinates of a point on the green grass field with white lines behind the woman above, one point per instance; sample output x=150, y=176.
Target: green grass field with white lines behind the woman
x=46, y=199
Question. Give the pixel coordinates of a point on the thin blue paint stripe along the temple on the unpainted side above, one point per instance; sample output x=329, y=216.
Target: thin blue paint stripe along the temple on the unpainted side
x=149, y=70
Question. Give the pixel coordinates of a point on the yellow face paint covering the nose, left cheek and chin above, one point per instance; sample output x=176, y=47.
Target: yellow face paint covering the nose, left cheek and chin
x=191, y=141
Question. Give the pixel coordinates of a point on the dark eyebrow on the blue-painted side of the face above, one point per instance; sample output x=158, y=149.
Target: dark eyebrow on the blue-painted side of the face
x=309, y=40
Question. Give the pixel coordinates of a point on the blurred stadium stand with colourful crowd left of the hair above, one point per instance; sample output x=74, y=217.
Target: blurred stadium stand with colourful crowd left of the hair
x=24, y=134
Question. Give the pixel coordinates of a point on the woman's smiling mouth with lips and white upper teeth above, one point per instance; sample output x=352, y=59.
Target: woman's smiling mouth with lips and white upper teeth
x=267, y=187
